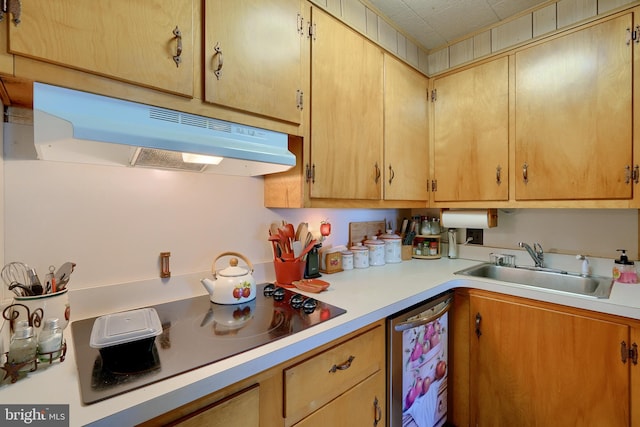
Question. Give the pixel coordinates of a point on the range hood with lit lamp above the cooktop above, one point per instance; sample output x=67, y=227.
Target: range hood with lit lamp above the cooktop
x=80, y=127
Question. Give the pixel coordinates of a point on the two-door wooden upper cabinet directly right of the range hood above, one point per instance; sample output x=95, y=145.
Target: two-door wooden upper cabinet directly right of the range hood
x=366, y=143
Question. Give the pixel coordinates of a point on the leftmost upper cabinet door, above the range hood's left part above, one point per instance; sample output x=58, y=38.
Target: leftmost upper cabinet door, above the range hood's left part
x=132, y=41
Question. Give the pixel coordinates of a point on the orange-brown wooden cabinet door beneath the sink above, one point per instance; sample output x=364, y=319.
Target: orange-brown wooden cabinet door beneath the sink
x=534, y=366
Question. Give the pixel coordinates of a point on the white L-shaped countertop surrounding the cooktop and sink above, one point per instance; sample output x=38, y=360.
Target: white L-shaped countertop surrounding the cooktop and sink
x=368, y=295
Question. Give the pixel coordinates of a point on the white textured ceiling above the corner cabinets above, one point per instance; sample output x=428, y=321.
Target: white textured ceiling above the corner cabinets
x=435, y=23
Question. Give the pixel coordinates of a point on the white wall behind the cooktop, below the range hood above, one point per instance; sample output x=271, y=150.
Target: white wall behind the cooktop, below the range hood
x=113, y=222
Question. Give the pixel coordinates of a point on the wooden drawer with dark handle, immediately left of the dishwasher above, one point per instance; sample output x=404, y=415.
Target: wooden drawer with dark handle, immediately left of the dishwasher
x=312, y=383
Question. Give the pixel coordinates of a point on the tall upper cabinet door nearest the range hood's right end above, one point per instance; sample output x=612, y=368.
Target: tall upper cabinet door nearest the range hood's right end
x=346, y=112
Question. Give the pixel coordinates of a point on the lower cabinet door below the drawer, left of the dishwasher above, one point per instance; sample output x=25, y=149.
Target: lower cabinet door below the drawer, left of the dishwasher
x=363, y=405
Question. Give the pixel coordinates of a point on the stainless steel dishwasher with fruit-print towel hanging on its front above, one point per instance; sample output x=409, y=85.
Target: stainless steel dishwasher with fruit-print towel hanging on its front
x=417, y=364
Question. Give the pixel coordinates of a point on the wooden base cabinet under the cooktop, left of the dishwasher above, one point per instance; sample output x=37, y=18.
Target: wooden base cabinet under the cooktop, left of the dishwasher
x=341, y=381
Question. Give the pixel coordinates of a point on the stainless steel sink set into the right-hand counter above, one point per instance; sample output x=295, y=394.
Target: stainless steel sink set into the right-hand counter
x=594, y=286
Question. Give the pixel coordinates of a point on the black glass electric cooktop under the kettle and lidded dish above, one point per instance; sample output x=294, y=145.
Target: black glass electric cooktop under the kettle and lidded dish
x=197, y=332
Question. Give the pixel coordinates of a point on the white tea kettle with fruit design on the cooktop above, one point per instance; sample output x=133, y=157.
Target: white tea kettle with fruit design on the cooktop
x=231, y=285
